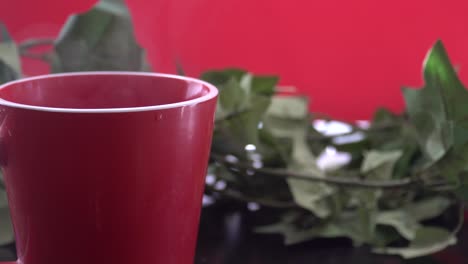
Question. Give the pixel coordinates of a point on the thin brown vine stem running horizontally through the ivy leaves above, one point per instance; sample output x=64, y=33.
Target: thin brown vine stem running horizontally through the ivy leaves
x=343, y=181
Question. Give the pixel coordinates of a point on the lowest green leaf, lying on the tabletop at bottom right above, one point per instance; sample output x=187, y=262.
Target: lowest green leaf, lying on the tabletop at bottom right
x=427, y=240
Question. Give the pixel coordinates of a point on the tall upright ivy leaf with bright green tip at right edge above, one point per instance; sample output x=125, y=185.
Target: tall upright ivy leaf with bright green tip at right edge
x=438, y=110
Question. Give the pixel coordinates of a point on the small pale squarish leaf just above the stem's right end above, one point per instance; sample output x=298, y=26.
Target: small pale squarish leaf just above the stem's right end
x=380, y=164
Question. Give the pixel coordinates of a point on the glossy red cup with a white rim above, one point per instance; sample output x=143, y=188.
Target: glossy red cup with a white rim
x=105, y=167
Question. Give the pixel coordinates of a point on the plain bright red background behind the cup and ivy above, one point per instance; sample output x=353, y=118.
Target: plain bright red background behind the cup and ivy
x=350, y=56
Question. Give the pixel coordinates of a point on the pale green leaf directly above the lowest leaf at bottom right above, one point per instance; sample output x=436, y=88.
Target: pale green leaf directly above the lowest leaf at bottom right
x=407, y=220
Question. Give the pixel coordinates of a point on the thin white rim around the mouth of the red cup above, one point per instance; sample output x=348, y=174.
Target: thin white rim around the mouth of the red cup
x=212, y=92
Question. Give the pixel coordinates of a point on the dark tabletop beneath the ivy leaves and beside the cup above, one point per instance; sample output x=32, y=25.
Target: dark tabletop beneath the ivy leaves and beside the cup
x=225, y=238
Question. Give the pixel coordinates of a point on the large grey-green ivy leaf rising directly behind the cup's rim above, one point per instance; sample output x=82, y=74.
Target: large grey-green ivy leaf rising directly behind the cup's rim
x=100, y=39
